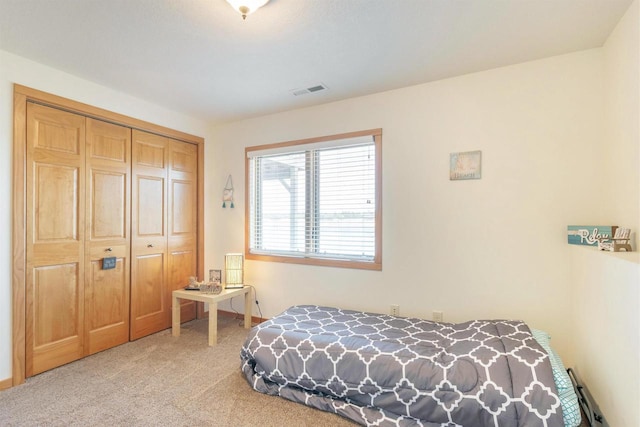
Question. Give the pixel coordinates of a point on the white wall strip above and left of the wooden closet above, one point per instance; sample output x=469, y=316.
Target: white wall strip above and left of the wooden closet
x=14, y=69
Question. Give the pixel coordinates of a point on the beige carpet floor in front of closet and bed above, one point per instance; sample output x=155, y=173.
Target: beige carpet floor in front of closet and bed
x=157, y=381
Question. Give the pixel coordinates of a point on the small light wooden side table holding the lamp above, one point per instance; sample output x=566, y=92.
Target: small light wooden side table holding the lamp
x=212, y=300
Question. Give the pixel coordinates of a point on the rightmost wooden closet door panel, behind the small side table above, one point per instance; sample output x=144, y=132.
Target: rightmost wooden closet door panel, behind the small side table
x=183, y=221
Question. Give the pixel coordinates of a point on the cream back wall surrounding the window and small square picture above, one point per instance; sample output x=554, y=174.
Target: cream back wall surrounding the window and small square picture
x=490, y=248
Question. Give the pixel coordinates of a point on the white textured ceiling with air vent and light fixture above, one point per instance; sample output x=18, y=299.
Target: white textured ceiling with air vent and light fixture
x=200, y=58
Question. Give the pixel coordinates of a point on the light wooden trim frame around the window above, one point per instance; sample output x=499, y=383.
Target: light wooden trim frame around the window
x=377, y=262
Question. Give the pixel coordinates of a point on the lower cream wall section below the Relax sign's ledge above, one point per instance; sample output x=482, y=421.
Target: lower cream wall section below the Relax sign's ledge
x=606, y=293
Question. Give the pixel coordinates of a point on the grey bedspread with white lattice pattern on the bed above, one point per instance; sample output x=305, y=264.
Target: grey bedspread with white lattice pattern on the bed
x=383, y=370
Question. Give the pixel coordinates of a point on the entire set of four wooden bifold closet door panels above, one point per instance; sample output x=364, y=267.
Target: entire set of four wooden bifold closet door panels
x=110, y=230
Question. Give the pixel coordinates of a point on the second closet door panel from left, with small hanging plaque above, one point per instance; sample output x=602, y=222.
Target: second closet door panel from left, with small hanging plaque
x=108, y=165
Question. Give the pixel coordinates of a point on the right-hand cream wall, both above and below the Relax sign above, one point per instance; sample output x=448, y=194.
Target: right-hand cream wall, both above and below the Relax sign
x=606, y=287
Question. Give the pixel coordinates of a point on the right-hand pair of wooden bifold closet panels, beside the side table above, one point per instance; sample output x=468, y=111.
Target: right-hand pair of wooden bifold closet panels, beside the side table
x=164, y=229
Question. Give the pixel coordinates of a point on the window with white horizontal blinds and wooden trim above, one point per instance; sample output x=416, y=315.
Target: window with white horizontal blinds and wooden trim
x=316, y=201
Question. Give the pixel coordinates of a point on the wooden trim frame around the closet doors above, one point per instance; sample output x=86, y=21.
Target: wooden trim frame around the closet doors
x=21, y=96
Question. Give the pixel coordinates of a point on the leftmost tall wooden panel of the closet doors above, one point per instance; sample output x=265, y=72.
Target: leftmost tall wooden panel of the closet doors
x=55, y=202
